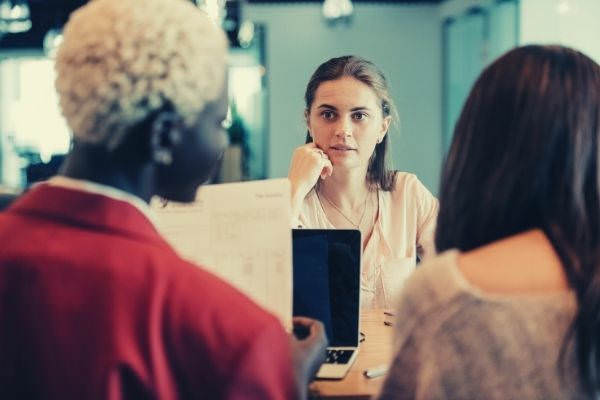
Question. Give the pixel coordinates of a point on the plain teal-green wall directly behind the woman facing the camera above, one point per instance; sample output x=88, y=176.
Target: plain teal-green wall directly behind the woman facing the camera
x=404, y=41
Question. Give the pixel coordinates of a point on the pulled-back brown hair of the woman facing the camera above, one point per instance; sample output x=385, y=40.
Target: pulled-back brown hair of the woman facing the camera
x=378, y=172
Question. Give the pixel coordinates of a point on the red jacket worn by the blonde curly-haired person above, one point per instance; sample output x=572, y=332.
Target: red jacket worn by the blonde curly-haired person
x=94, y=304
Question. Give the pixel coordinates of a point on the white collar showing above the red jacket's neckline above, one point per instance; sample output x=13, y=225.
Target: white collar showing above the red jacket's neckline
x=103, y=190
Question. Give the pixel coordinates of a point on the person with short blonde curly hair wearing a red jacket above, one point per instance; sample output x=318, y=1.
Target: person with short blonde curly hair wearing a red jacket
x=93, y=302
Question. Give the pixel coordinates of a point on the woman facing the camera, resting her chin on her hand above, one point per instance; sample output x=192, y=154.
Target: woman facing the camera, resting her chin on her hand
x=340, y=178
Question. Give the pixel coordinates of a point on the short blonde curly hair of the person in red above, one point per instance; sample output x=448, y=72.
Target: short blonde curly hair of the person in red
x=121, y=60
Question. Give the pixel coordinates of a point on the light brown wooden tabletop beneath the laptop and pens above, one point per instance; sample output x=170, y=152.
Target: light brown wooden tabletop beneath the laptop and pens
x=376, y=350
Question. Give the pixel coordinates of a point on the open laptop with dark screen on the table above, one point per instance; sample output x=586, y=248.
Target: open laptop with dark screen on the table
x=326, y=270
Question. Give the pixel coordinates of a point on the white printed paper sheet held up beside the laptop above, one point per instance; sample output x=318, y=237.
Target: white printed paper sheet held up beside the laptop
x=241, y=233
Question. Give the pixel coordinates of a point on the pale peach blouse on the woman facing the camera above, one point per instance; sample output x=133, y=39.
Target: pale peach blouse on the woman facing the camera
x=404, y=228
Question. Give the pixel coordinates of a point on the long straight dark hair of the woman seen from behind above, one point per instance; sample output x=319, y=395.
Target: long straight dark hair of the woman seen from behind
x=525, y=155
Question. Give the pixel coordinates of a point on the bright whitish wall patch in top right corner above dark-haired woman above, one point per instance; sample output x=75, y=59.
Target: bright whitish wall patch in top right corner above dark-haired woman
x=574, y=23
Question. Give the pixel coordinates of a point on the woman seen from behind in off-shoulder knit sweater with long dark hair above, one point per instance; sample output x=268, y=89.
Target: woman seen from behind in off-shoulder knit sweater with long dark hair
x=510, y=310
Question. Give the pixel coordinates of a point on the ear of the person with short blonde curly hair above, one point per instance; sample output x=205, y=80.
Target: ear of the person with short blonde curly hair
x=165, y=135
